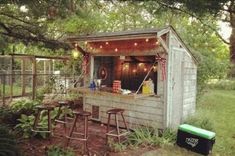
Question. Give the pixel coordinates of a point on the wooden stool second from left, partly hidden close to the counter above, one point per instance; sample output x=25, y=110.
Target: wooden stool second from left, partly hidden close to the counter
x=65, y=105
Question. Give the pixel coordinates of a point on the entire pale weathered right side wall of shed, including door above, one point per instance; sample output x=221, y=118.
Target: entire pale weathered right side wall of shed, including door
x=181, y=83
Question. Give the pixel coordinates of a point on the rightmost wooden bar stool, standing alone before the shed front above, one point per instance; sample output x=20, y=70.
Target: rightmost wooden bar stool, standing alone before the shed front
x=116, y=133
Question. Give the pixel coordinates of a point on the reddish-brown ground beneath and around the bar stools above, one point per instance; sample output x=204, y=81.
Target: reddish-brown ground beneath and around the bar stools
x=96, y=143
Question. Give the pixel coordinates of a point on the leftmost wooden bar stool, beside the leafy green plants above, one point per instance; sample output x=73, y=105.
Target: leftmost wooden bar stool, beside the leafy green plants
x=41, y=108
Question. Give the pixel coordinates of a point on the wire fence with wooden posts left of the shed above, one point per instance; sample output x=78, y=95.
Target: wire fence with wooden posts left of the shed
x=22, y=85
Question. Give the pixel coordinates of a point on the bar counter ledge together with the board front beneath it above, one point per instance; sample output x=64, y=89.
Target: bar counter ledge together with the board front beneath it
x=139, y=109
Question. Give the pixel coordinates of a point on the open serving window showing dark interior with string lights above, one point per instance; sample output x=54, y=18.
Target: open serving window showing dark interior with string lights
x=130, y=70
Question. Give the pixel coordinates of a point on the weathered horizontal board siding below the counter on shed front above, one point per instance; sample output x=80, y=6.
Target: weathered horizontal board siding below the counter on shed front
x=144, y=111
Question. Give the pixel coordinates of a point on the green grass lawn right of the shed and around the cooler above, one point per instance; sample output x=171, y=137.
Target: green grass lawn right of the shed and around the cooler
x=219, y=107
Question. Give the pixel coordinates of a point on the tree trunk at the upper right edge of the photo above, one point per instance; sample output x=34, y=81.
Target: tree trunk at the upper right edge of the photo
x=232, y=44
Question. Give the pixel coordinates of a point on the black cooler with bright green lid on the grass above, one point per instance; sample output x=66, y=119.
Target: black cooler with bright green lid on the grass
x=195, y=139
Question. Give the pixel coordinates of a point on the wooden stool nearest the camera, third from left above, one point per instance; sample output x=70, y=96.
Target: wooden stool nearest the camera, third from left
x=84, y=134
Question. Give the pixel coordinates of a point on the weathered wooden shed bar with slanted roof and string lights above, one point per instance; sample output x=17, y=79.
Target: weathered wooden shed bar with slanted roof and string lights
x=133, y=59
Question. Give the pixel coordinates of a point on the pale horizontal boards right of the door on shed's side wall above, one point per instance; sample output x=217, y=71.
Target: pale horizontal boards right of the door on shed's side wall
x=190, y=83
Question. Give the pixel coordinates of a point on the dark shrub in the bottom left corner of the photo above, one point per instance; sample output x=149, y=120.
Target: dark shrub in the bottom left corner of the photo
x=8, y=144
